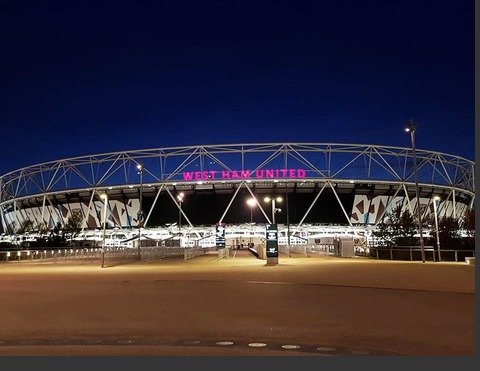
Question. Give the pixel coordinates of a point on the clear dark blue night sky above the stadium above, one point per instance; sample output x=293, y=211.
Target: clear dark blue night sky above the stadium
x=83, y=77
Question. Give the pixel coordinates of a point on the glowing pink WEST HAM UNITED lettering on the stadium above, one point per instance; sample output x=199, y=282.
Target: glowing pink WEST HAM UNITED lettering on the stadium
x=244, y=174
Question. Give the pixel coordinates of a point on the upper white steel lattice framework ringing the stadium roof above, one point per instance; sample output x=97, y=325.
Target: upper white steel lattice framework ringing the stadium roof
x=331, y=165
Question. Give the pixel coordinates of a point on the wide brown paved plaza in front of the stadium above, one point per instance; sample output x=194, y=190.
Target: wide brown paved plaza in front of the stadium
x=240, y=306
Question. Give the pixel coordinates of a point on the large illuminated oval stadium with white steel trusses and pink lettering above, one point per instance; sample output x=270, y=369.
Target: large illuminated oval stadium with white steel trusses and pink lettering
x=315, y=190
